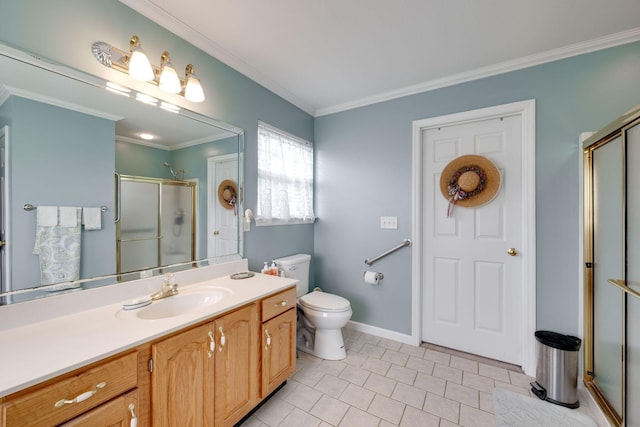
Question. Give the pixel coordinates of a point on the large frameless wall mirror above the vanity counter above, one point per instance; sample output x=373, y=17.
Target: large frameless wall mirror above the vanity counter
x=71, y=144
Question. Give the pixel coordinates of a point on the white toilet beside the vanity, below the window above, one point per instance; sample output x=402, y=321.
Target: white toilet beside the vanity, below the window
x=321, y=315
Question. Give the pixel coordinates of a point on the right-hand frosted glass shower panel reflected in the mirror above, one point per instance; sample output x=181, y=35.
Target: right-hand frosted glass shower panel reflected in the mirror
x=177, y=221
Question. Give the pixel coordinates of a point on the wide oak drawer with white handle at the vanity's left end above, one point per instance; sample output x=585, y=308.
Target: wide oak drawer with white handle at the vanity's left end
x=38, y=408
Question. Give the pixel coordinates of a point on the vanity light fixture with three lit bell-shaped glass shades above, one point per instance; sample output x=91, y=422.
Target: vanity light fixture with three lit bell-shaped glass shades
x=136, y=63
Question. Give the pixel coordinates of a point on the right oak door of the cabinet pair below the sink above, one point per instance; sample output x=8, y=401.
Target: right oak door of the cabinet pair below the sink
x=236, y=367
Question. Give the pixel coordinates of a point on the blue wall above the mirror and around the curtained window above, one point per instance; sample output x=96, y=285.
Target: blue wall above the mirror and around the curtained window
x=64, y=31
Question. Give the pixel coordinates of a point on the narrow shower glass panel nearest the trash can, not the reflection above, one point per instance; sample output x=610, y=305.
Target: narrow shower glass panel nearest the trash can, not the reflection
x=608, y=252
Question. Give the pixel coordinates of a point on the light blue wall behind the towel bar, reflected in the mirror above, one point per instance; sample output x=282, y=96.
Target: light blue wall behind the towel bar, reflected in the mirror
x=51, y=164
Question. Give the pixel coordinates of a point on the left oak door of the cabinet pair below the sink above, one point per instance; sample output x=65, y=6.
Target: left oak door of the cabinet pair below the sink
x=182, y=379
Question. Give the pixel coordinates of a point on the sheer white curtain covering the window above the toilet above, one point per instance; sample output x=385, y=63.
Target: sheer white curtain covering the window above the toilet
x=285, y=178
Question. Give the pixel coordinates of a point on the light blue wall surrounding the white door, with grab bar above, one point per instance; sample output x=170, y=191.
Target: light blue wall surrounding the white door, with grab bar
x=363, y=171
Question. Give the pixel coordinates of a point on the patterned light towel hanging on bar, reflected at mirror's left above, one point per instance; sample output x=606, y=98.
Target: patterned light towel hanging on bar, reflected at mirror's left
x=58, y=245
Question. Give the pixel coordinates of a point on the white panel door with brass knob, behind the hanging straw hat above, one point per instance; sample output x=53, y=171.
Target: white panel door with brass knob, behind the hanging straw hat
x=472, y=286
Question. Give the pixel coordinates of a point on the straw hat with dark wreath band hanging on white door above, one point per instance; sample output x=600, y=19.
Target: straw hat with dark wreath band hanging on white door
x=469, y=181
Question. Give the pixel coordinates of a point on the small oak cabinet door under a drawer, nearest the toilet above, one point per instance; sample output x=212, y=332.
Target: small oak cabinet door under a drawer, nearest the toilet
x=278, y=350
